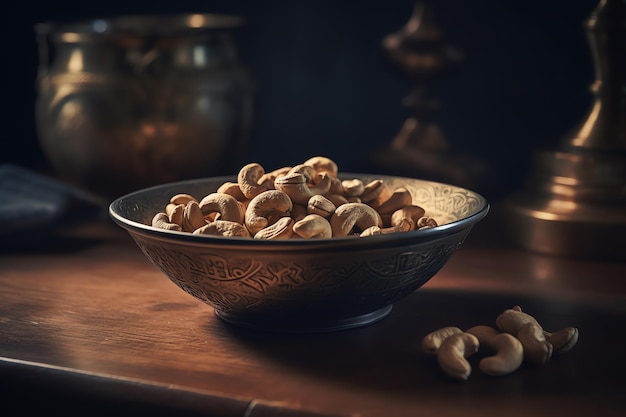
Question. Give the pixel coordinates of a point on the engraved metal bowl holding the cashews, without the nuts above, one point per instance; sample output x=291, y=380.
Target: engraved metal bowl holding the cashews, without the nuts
x=302, y=285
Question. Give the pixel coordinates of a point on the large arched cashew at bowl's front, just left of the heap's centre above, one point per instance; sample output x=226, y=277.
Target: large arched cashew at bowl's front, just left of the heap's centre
x=266, y=209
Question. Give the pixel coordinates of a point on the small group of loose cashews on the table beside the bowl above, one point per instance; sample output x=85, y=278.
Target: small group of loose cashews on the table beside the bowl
x=518, y=337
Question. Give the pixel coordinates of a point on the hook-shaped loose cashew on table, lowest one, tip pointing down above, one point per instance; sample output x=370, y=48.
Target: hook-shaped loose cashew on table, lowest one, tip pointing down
x=453, y=351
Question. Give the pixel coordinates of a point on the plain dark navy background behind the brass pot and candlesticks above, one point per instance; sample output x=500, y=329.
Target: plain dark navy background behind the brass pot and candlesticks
x=324, y=85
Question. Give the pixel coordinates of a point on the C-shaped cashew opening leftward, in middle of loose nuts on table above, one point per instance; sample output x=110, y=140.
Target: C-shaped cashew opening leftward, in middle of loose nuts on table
x=509, y=350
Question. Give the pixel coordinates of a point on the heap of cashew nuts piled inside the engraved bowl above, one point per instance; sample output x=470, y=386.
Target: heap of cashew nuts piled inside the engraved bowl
x=303, y=201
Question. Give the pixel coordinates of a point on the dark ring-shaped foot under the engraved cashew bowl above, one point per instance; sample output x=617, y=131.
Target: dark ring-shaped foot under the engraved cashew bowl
x=305, y=326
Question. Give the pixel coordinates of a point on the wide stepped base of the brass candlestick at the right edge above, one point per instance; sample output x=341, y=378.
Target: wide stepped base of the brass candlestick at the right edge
x=576, y=207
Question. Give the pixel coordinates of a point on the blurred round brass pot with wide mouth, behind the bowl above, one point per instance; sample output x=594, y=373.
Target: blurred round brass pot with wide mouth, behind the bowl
x=134, y=101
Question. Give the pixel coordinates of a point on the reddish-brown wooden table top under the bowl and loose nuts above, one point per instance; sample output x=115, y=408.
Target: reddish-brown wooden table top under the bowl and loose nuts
x=89, y=326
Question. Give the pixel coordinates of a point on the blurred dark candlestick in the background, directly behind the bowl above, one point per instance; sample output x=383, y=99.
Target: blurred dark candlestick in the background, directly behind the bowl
x=420, y=148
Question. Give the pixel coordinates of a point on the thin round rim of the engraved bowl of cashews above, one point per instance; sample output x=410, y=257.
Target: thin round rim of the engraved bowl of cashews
x=415, y=236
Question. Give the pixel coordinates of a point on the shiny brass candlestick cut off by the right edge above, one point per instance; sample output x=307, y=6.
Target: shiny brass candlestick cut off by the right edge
x=574, y=201
